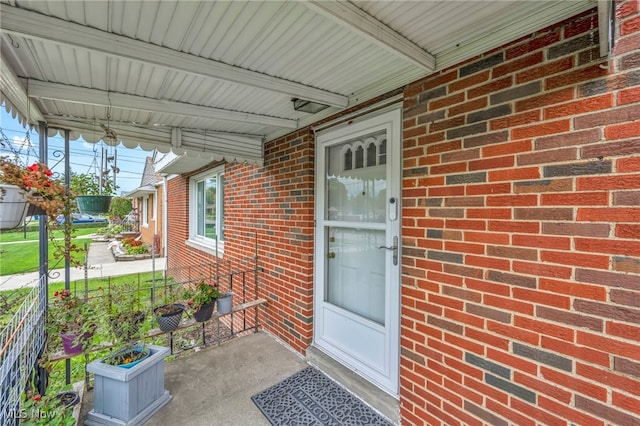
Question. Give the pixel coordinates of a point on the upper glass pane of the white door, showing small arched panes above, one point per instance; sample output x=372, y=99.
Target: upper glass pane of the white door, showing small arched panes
x=356, y=194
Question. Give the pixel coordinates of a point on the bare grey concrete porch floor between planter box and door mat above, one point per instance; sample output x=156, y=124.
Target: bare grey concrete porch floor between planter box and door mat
x=214, y=385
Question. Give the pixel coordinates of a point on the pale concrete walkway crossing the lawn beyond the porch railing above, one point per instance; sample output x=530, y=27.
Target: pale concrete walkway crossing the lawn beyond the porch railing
x=101, y=264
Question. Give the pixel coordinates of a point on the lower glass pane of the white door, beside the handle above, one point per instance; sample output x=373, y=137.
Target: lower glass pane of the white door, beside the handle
x=356, y=271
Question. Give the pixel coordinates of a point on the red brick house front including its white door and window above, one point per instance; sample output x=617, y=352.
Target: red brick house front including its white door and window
x=468, y=243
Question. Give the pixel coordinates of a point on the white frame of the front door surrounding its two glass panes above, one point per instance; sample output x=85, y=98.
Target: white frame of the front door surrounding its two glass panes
x=384, y=374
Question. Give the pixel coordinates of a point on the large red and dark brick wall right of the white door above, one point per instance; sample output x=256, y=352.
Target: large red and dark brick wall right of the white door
x=521, y=234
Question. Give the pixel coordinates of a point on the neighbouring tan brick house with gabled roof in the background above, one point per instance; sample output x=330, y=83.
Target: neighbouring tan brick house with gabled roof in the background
x=148, y=203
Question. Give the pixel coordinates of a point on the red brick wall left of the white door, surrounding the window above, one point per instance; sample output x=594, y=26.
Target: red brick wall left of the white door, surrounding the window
x=270, y=207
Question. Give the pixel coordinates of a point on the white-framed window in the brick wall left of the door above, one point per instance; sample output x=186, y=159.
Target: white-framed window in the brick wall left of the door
x=206, y=204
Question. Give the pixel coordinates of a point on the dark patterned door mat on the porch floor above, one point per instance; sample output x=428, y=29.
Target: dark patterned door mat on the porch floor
x=309, y=398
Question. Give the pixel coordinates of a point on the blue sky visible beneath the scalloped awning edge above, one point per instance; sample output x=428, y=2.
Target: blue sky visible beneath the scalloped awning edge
x=85, y=156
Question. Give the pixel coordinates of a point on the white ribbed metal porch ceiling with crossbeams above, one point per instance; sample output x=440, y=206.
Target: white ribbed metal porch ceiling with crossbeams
x=217, y=77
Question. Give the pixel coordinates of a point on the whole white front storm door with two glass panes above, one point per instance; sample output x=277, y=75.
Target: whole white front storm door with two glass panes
x=357, y=286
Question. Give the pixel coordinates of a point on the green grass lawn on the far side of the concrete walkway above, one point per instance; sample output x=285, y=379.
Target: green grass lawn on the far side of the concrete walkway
x=19, y=254
